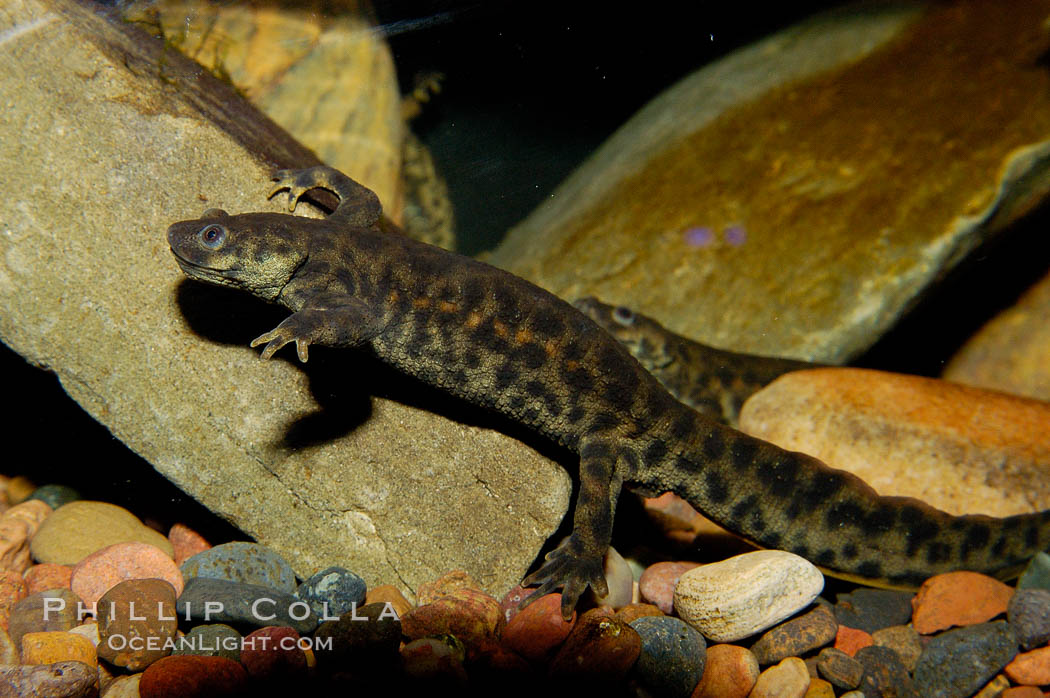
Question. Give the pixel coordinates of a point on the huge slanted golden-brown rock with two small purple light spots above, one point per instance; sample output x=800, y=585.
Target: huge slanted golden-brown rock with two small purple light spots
x=776, y=203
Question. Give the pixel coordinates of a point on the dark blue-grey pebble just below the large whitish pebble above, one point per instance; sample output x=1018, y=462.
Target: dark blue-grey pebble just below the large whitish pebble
x=673, y=657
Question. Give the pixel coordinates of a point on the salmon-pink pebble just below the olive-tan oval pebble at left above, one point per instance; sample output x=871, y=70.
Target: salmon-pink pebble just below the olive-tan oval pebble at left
x=104, y=569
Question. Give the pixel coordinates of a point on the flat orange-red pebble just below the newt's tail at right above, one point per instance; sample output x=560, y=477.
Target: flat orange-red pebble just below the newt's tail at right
x=958, y=599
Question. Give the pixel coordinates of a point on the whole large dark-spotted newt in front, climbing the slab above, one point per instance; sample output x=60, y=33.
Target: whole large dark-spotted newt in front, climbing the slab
x=499, y=342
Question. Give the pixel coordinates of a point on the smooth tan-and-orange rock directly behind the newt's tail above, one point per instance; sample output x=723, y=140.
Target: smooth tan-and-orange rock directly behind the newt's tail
x=959, y=449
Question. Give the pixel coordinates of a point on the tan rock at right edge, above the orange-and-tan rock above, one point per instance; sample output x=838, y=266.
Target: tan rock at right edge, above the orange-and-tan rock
x=1012, y=353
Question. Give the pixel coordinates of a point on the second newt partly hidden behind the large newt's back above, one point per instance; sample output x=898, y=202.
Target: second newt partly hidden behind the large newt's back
x=710, y=380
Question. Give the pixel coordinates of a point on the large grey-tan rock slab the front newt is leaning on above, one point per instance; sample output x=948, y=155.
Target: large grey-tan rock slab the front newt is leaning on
x=106, y=139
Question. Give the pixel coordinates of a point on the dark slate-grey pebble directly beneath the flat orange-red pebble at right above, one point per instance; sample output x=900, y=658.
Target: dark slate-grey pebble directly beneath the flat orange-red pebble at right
x=989, y=648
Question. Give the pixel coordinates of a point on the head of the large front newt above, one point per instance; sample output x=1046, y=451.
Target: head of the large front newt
x=257, y=252
